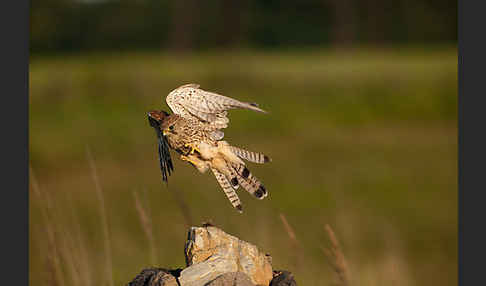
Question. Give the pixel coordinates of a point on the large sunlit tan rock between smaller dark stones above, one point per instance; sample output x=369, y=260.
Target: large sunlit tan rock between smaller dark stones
x=210, y=252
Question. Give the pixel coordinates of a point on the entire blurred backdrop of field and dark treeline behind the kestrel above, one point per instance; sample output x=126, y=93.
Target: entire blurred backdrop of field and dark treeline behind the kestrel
x=362, y=131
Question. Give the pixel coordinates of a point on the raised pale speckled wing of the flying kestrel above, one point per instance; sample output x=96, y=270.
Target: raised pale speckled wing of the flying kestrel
x=191, y=102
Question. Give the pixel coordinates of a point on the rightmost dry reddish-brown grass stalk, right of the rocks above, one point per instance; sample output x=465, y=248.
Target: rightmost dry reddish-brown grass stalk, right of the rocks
x=336, y=257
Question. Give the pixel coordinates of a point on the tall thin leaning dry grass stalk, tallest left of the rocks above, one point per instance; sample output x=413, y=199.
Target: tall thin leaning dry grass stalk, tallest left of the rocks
x=104, y=221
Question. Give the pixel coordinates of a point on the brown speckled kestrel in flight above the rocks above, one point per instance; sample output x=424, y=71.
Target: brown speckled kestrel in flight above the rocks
x=194, y=130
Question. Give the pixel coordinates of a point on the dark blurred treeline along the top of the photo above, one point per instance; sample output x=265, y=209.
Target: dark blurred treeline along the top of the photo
x=84, y=25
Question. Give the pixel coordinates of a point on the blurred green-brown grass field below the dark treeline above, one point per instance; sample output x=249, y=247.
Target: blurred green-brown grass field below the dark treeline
x=365, y=141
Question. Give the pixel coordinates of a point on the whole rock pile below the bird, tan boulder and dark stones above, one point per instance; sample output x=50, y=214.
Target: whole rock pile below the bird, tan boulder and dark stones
x=215, y=258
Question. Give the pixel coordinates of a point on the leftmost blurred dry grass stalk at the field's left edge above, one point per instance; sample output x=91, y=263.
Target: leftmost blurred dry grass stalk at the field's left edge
x=53, y=259
